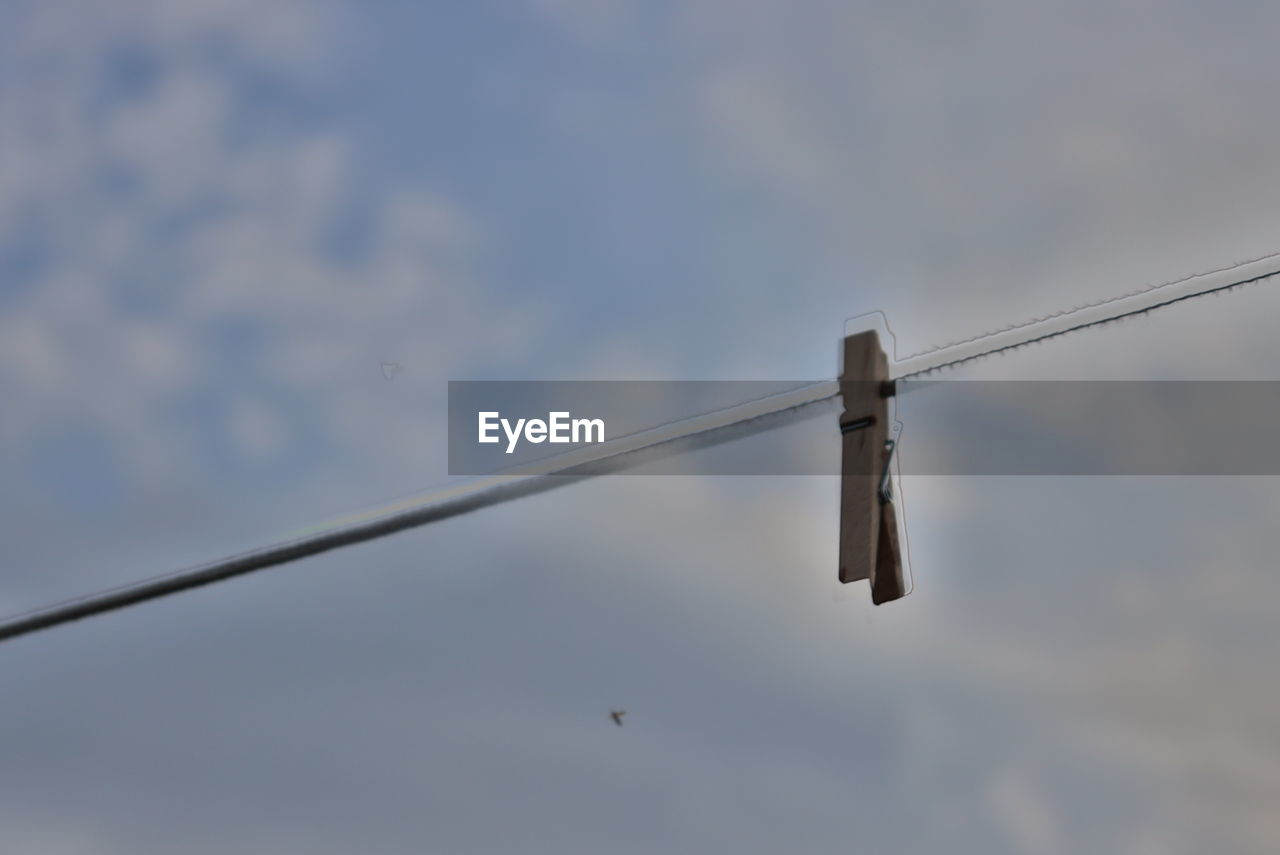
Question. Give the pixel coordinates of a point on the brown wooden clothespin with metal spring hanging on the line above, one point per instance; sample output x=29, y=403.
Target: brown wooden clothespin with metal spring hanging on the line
x=870, y=546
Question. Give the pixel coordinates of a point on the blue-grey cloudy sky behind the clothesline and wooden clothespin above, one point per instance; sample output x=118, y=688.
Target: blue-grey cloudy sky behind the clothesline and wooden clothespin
x=220, y=220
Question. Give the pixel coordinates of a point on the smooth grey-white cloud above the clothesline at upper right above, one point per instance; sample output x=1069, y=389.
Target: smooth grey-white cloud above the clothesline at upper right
x=996, y=162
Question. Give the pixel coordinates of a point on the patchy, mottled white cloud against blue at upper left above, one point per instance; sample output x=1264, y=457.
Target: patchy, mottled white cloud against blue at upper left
x=226, y=228
